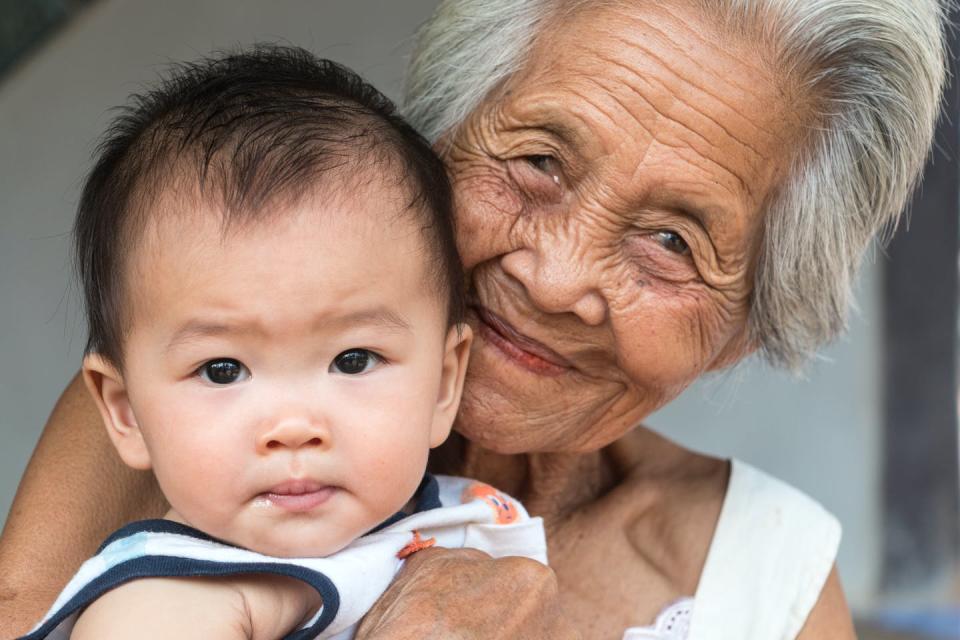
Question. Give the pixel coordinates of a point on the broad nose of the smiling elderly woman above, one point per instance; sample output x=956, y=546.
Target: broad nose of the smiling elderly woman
x=557, y=281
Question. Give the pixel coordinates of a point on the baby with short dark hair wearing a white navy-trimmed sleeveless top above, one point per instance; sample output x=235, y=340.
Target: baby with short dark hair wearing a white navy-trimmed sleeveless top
x=274, y=302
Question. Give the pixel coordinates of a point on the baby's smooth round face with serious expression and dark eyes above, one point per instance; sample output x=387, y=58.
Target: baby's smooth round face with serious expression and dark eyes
x=286, y=381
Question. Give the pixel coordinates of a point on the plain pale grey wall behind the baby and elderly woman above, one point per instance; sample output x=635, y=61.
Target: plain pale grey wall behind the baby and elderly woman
x=821, y=435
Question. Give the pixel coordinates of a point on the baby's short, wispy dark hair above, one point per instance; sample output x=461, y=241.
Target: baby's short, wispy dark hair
x=264, y=126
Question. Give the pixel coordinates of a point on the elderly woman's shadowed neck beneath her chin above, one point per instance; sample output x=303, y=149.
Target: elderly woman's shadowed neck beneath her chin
x=550, y=485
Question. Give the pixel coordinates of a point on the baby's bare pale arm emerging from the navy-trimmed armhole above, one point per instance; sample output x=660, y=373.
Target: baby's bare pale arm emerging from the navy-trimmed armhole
x=251, y=607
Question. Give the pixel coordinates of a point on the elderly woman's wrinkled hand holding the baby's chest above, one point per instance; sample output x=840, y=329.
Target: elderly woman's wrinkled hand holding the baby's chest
x=463, y=594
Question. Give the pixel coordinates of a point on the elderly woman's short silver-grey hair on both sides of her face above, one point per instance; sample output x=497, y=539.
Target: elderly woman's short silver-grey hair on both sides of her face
x=875, y=70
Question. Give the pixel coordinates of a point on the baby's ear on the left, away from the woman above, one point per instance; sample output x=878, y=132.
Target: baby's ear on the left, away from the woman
x=106, y=385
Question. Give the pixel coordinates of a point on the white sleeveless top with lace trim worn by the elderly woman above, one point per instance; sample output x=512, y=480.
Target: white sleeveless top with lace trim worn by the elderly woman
x=768, y=561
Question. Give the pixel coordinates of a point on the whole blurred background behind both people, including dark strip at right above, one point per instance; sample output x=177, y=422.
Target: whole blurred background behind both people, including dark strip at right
x=871, y=432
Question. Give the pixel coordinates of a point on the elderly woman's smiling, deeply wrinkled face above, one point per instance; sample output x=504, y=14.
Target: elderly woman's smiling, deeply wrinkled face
x=610, y=207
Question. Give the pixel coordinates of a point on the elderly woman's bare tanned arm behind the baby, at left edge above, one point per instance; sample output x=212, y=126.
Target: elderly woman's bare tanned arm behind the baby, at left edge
x=74, y=492
